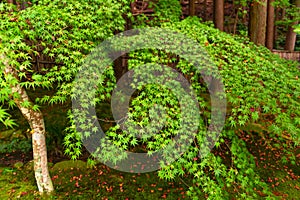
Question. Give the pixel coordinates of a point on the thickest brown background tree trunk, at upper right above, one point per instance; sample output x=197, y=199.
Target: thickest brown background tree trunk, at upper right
x=258, y=20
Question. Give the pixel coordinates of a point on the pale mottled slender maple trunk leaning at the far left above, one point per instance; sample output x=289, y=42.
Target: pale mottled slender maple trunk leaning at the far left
x=36, y=122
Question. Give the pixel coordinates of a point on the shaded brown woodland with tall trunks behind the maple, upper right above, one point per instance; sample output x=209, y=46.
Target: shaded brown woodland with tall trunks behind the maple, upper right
x=269, y=23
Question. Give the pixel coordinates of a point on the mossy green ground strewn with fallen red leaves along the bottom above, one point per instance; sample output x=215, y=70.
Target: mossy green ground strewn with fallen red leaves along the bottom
x=76, y=180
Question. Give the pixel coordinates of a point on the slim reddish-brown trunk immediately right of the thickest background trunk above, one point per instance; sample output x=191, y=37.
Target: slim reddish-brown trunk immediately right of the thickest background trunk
x=270, y=25
